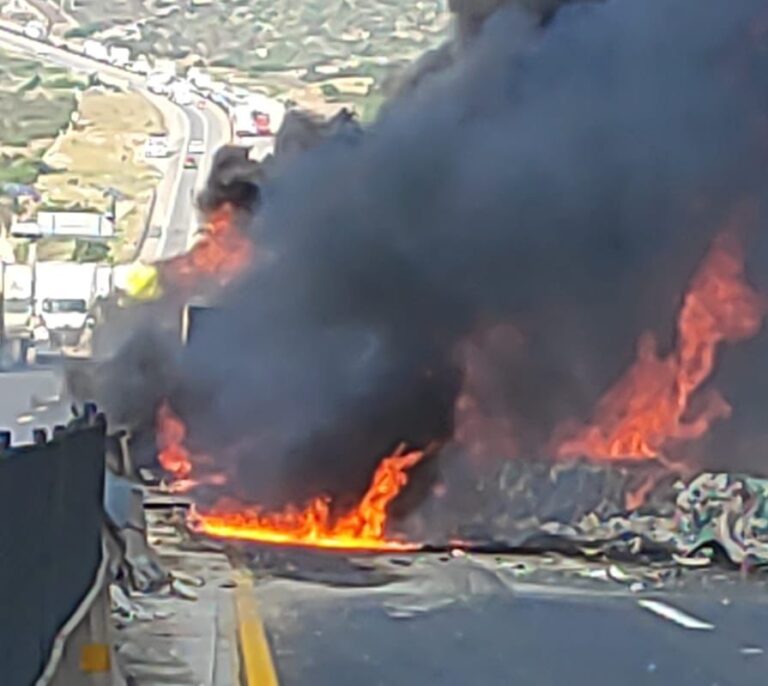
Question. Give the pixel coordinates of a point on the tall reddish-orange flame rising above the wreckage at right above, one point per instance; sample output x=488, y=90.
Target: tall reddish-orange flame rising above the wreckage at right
x=650, y=405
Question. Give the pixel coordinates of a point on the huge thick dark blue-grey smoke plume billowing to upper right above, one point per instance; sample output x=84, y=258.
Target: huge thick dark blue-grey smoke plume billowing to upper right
x=564, y=176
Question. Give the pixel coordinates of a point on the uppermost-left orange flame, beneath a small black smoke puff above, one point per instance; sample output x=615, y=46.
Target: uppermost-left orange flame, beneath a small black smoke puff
x=222, y=252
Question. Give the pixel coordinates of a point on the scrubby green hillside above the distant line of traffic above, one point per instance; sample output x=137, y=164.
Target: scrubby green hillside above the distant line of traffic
x=313, y=52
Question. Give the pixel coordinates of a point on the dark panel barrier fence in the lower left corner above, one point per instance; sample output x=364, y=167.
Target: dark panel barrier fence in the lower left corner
x=51, y=516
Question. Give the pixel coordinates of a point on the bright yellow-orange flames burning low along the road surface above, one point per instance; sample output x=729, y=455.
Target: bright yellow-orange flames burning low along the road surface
x=363, y=527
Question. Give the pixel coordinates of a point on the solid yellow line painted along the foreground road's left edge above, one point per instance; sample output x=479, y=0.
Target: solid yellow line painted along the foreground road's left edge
x=258, y=667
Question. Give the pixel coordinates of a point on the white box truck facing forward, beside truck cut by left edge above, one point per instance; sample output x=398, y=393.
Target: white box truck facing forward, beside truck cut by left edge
x=64, y=294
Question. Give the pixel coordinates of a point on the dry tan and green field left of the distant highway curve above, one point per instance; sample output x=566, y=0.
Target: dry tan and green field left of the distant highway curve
x=76, y=145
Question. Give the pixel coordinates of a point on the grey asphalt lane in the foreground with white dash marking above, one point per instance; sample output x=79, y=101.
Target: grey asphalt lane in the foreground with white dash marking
x=453, y=623
